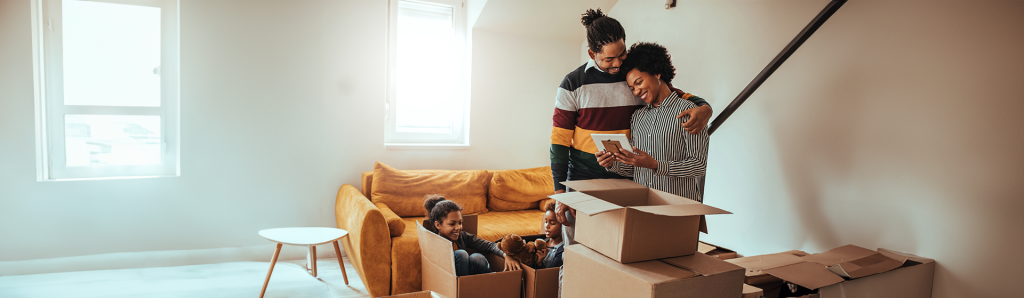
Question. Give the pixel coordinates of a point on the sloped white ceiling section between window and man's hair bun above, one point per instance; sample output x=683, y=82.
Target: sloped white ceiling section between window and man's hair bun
x=558, y=20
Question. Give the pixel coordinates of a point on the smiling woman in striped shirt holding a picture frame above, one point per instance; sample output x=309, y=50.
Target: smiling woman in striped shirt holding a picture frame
x=666, y=157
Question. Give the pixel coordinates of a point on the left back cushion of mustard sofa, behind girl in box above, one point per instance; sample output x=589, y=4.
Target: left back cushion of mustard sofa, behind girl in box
x=404, y=191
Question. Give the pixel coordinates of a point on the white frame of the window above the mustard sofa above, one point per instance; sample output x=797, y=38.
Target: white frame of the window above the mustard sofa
x=459, y=138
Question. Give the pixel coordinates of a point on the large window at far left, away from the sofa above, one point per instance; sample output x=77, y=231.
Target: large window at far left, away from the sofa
x=107, y=89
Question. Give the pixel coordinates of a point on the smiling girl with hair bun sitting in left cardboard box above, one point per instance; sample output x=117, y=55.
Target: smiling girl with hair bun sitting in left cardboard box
x=445, y=219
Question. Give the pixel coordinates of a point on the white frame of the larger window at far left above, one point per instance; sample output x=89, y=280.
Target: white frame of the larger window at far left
x=51, y=109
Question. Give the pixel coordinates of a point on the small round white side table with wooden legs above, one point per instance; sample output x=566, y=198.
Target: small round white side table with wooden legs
x=310, y=237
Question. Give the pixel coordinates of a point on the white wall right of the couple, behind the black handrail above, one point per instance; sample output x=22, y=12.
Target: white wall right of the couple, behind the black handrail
x=898, y=125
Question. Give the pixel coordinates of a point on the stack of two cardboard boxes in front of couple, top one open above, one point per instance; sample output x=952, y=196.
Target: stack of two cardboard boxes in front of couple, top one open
x=638, y=242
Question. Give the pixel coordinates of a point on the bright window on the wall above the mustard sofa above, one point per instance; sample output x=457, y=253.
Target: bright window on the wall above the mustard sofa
x=429, y=82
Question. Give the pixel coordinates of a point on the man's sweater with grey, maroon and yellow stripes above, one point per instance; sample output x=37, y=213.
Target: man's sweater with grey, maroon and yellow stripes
x=589, y=102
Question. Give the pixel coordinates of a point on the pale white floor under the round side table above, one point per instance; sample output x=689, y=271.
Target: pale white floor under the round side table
x=224, y=280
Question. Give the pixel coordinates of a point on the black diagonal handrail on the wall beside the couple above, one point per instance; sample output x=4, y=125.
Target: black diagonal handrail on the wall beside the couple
x=787, y=53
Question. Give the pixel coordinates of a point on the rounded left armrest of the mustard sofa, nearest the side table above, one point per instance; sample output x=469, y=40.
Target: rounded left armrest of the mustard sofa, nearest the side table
x=369, y=246
